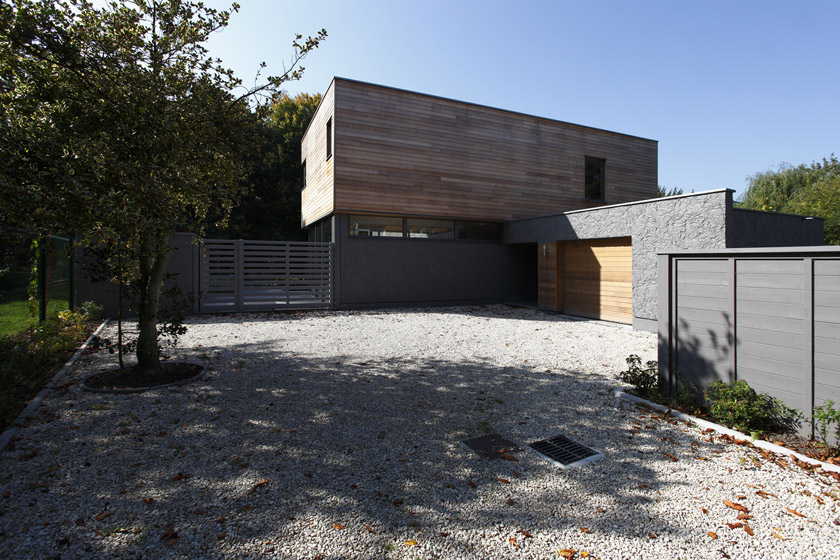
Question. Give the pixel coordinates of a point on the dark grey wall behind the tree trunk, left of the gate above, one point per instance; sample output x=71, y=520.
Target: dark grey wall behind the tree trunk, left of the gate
x=182, y=262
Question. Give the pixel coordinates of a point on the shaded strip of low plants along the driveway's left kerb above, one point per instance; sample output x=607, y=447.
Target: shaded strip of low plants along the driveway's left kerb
x=29, y=358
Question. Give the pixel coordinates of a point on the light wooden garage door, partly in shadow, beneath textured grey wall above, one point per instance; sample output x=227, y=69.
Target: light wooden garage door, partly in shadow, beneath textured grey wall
x=598, y=279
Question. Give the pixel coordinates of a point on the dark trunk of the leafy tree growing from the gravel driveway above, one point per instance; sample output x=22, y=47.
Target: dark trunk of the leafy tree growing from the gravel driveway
x=152, y=271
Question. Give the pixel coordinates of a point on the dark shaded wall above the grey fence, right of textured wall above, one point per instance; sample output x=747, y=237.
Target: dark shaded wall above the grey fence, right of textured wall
x=752, y=228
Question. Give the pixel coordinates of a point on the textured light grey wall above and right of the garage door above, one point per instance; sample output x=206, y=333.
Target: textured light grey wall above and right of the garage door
x=695, y=221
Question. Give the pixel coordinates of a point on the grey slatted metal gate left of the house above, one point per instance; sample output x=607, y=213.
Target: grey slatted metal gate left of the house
x=247, y=275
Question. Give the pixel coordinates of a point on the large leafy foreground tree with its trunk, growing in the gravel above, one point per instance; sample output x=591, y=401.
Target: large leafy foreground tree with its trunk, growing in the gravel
x=117, y=125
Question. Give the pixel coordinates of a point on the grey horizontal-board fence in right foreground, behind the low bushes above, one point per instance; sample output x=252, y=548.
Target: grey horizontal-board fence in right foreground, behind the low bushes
x=768, y=316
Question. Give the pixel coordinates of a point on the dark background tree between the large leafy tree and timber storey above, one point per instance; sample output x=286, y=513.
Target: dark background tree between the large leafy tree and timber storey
x=271, y=208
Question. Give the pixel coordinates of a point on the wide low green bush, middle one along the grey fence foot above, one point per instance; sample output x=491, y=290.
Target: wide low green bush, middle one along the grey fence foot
x=738, y=406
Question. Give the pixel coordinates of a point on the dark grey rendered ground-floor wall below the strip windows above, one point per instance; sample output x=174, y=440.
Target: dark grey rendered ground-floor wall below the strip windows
x=385, y=272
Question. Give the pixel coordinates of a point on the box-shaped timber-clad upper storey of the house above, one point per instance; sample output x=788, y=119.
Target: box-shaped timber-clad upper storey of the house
x=403, y=153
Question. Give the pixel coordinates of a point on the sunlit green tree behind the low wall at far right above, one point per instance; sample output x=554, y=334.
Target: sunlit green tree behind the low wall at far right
x=805, y=189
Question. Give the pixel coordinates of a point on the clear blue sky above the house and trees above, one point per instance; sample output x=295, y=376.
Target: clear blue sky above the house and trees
x=727, y=88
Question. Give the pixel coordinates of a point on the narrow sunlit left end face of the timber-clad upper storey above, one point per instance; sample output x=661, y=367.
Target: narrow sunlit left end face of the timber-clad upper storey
x=317, y=197
